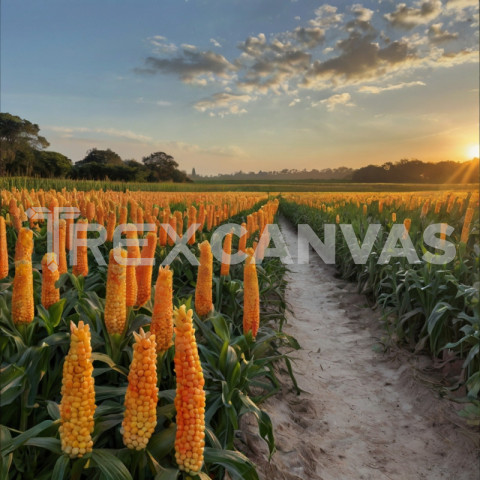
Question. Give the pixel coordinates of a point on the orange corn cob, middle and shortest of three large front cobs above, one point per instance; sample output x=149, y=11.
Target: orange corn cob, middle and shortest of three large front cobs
x=140, y=417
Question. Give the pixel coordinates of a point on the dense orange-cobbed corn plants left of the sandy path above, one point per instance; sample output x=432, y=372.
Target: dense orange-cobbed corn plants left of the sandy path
x=114, y=372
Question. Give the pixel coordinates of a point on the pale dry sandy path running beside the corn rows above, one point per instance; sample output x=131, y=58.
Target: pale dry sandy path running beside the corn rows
x=364, y=414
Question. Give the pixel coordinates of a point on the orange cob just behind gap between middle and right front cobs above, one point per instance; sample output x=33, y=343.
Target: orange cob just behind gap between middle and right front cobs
x=162, y=317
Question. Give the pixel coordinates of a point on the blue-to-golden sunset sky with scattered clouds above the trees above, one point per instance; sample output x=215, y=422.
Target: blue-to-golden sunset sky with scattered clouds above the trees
x=229, y=85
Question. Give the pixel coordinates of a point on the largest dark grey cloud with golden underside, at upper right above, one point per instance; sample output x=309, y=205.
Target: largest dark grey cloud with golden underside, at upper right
x=361, y=58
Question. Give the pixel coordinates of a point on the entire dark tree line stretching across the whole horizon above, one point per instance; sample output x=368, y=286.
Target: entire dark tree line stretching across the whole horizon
x=22, y=152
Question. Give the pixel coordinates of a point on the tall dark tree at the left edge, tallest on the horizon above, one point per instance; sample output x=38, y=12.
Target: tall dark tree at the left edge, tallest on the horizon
x=18, y=139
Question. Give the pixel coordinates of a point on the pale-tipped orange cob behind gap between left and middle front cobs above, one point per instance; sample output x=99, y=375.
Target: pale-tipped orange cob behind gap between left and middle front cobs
x=115, y=302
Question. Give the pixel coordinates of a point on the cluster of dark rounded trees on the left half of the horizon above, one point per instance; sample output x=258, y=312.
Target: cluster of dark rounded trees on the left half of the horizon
x=22, y=152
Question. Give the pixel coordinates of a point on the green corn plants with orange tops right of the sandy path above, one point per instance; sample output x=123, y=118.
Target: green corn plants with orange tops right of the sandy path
x=432, y=308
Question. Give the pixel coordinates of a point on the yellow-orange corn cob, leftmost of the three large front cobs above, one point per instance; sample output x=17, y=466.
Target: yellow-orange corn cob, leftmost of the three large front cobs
x=78, y=395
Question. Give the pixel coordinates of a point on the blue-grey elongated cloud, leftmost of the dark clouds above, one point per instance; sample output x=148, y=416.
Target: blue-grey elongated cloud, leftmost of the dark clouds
x=192, y=66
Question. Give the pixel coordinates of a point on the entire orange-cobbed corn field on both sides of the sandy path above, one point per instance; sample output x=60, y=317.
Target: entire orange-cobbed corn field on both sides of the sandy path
x=127, y=369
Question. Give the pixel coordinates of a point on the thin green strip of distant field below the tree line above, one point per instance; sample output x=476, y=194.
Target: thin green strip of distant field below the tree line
x=234, y=186
